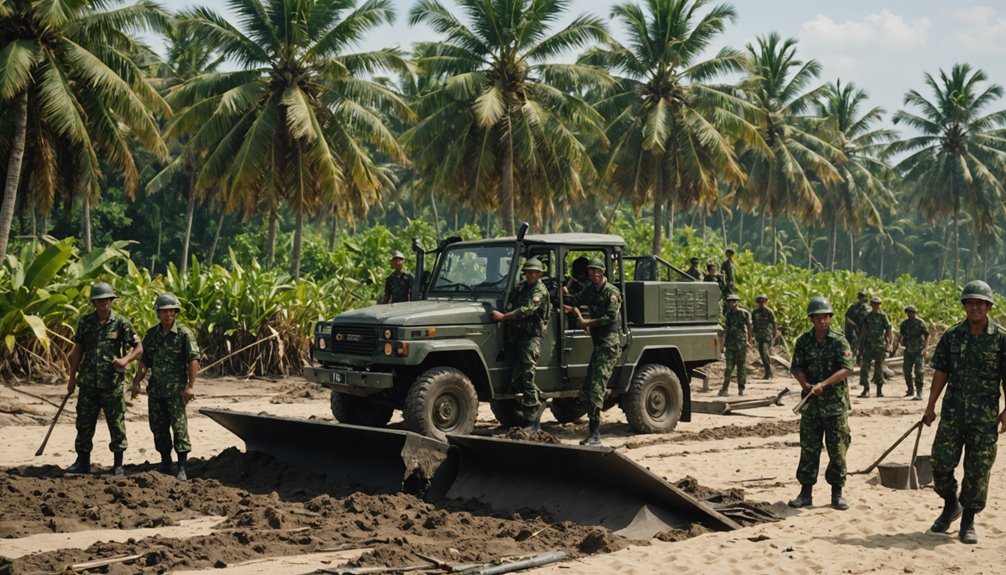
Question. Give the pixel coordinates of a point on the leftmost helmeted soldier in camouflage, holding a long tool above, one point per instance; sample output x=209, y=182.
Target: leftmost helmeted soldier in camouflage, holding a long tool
x=104, y=344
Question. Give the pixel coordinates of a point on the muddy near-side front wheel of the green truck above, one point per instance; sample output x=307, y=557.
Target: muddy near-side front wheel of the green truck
x=442, y=402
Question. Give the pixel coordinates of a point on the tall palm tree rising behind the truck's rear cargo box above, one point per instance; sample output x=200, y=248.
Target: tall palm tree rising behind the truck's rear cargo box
x=672, y=133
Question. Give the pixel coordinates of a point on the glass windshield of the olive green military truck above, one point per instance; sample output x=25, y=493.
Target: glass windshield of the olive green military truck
x=473, y=269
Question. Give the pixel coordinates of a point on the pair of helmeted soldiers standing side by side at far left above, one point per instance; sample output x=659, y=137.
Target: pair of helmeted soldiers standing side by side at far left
x=105, y=343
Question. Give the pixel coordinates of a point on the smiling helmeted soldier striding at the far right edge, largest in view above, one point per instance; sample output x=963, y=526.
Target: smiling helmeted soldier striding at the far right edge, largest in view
x=970, y=362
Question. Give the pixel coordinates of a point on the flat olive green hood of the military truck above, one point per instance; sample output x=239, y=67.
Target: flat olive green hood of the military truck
x=426, y=313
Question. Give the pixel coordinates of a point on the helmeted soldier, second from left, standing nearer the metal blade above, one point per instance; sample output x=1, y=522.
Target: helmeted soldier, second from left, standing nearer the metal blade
x=172, y=356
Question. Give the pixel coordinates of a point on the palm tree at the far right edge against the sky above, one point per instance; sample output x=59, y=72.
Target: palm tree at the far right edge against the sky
x=956, y=160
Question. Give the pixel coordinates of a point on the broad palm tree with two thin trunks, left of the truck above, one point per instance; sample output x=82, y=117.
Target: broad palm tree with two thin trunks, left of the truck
x=300, y=121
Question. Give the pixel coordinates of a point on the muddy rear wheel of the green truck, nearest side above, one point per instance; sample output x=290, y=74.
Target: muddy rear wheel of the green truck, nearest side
x=654, y=402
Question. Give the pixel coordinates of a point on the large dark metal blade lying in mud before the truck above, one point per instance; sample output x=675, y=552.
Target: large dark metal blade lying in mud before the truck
x=589, y=486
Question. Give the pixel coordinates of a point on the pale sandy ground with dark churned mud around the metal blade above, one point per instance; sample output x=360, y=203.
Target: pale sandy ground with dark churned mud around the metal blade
x=294, y=529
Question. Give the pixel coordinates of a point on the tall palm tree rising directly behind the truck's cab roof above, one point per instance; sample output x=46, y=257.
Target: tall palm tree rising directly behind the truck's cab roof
x=505, y=123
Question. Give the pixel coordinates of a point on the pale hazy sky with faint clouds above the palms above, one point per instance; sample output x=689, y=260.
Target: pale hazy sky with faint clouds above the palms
x=884, y=47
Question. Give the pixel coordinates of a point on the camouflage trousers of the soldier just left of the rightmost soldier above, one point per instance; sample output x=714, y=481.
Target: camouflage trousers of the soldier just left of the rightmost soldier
x=833, y=431
